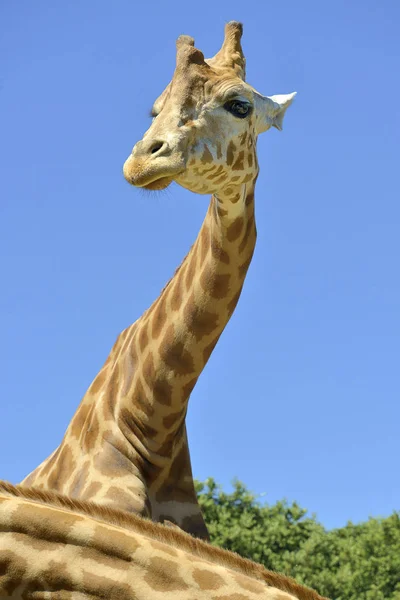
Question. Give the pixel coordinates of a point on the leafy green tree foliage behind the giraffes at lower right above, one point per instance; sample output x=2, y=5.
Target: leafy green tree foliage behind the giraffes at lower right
x=355, y=562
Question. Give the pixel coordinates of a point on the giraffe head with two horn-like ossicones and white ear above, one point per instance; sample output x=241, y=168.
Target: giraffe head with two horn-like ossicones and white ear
x=205, y=123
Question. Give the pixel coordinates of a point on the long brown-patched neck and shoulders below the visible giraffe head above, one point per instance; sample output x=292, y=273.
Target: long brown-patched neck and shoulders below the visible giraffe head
x=127, y=443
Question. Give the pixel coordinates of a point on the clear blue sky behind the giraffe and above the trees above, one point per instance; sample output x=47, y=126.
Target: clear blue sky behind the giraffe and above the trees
x=301, y=397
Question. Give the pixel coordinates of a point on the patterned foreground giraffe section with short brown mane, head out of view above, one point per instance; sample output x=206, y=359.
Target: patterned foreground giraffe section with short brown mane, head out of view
x=54, y=547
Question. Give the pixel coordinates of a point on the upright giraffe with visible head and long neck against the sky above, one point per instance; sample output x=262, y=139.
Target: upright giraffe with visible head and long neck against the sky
x=127, y=444
